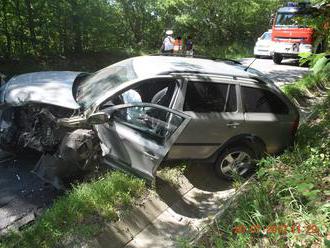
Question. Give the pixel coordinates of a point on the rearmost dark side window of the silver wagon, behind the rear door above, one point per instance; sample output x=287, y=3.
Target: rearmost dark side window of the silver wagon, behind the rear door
x=262, y=101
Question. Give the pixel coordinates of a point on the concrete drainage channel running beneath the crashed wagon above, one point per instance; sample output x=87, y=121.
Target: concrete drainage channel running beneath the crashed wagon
x=171, y=212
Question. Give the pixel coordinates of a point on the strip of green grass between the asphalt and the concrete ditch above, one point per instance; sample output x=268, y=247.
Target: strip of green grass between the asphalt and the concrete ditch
x=81, y=213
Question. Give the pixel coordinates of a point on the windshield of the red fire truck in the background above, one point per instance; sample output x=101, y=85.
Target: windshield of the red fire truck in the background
x=292, y=20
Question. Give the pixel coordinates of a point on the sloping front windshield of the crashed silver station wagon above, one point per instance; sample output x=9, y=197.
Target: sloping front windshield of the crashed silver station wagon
x=102, y=81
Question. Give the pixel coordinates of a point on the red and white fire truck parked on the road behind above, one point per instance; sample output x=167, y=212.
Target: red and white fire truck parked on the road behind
x=290, y=32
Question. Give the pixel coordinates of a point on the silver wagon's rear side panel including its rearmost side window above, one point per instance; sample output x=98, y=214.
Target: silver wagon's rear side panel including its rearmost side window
x=268, y=117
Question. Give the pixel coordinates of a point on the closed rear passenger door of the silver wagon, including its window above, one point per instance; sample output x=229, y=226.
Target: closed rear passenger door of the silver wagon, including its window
x=216, y=116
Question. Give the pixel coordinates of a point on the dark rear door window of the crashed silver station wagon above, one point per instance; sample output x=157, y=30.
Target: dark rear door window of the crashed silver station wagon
x=206, y=97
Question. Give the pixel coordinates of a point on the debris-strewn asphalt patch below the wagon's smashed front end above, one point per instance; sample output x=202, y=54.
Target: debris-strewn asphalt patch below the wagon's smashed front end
x=23, y=195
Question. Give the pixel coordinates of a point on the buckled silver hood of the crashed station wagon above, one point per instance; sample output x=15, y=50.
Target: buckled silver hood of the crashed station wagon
x=52, y=87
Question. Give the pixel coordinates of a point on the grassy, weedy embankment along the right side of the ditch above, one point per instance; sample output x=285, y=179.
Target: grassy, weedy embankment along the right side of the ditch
x=288, y=203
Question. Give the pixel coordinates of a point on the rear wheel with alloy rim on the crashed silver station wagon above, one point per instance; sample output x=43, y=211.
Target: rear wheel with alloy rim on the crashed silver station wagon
x=235, y=161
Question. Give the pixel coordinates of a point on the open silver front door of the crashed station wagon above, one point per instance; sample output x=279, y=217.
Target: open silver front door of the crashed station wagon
x=138, y=136
